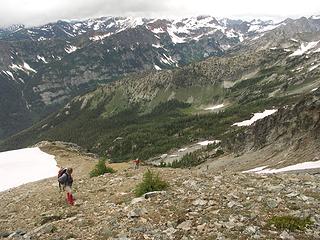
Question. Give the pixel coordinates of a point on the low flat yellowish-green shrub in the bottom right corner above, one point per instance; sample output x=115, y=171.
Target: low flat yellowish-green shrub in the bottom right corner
x=289, y=222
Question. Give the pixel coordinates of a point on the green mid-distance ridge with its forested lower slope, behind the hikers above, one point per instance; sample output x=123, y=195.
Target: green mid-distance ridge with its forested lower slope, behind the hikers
x=150, y=113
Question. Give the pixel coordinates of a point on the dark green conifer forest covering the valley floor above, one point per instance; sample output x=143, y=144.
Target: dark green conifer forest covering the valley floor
x=129, y=135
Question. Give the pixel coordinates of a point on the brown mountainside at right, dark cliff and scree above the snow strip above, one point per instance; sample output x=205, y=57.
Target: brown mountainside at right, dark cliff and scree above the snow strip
x=288, y=137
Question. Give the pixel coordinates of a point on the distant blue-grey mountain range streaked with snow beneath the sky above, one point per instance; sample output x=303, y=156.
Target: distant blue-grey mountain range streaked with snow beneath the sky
x=46, y=66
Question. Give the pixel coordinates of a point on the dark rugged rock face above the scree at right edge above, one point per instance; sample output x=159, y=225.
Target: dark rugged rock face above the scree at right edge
x=289, y=127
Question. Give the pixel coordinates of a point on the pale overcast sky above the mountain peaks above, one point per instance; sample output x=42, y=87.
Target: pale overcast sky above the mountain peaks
x=36, y=12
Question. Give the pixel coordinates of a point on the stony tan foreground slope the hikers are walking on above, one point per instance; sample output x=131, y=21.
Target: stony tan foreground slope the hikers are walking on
x=204, y=204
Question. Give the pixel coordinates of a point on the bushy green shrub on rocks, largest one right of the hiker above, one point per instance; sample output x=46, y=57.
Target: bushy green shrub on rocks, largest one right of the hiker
x=151, y=182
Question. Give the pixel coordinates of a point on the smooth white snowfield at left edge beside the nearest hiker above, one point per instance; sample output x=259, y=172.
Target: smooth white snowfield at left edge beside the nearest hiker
x=21, y=166
